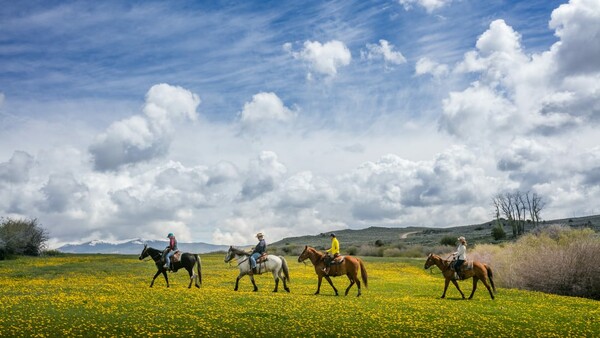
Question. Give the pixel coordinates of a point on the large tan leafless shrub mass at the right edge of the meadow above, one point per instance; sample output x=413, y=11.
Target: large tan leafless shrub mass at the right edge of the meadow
x=553, y=260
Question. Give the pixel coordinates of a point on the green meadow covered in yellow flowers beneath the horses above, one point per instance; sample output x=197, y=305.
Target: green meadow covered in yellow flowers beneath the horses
x=109, y=296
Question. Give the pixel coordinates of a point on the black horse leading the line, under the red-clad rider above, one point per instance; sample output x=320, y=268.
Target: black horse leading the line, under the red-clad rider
x=187, y=261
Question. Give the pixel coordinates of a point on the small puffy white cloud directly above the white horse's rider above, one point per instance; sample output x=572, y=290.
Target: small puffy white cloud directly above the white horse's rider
x=265, y=107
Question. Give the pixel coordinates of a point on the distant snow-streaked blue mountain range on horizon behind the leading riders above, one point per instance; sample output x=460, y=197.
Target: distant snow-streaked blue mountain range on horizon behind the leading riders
x=135, y=246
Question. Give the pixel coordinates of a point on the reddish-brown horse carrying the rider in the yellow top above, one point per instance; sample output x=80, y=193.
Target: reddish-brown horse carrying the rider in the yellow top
x=349, y=267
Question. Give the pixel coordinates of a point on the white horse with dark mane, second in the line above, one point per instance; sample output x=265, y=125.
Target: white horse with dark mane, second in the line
x=276, y=264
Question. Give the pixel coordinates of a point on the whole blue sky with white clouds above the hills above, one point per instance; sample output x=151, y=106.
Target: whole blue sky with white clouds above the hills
x=216, y=120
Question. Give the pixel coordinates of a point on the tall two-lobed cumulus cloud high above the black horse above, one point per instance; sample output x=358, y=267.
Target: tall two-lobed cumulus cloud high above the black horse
x=144, y=137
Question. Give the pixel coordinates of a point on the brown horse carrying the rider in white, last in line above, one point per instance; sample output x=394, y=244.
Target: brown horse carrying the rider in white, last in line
x=479, y=271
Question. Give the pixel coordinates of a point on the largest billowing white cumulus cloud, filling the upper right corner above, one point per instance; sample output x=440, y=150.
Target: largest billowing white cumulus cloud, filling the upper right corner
x=546, y=93
